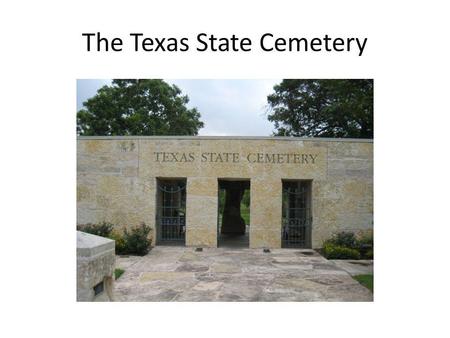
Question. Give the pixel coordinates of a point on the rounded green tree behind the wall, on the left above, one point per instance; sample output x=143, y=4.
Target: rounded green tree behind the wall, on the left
x=138, y=107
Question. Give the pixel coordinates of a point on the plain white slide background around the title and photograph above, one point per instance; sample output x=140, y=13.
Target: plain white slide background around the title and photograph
x=42, y=55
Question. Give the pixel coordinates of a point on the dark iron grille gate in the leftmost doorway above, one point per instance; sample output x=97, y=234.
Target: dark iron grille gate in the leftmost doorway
x=171, y=211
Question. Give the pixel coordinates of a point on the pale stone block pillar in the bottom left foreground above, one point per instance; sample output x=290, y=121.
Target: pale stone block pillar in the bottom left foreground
x=95, y=268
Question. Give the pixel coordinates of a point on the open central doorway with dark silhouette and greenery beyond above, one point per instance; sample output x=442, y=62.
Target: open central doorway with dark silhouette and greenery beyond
x=233, y=219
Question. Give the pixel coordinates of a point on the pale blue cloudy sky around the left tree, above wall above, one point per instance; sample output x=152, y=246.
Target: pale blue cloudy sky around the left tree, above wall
x=227, y=107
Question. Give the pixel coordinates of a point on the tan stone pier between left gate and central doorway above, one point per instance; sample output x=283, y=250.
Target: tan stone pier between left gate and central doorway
x=201, y=212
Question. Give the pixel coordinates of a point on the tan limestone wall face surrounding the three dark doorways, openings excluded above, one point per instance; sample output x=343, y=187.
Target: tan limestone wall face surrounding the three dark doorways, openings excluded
x=116, y=182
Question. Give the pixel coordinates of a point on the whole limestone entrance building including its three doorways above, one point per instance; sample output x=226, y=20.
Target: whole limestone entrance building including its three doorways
x=211, y=191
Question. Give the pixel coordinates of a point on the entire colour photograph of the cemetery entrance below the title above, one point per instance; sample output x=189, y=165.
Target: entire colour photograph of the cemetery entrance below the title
x=233, y=190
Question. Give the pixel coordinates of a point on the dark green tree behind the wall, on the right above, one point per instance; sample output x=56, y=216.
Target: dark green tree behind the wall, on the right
x=322, y=108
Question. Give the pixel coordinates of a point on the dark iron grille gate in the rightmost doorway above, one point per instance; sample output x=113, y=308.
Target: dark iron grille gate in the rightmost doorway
x=297, y=218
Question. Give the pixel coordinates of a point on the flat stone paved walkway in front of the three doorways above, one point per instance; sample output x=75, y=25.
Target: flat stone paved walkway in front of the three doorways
x=224, y=274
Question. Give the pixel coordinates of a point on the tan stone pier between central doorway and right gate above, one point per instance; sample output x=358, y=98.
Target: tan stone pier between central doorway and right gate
x=265, y=212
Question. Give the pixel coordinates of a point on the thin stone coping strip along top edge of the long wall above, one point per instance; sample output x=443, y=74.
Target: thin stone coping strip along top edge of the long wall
x=278, y=138
